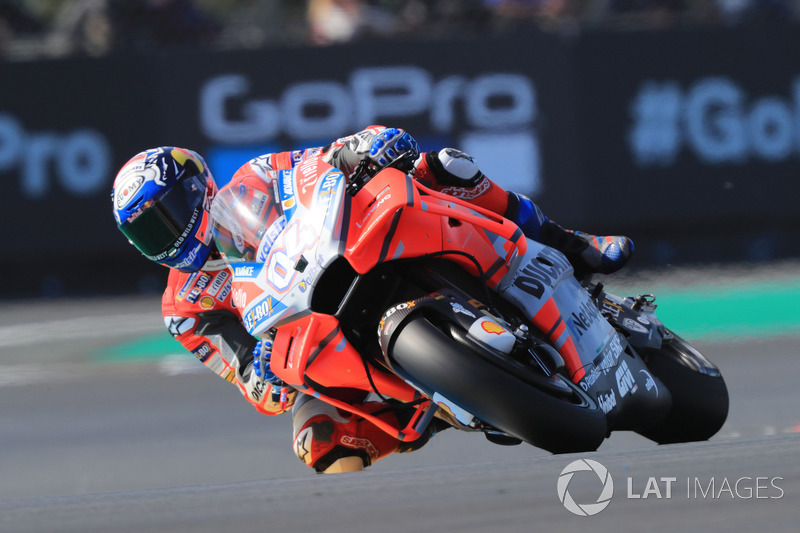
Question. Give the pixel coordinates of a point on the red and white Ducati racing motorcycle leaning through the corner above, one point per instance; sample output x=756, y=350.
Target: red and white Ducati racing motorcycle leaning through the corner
x=385, y=286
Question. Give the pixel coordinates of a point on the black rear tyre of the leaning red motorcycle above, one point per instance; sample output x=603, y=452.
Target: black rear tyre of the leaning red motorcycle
x=699, y=394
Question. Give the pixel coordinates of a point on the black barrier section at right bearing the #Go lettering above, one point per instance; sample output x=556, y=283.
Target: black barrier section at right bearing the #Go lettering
x=694, y=138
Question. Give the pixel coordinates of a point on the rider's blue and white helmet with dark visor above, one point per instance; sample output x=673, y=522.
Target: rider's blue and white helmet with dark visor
x=162, y=199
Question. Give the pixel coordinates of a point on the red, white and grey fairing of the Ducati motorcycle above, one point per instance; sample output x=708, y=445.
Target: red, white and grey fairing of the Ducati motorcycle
x=379, y=230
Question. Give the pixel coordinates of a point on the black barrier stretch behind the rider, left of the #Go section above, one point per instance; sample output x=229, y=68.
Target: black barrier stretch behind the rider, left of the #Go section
x=489, y=97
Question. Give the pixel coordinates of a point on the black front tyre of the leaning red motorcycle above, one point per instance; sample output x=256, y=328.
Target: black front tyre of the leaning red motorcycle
x=435, y=361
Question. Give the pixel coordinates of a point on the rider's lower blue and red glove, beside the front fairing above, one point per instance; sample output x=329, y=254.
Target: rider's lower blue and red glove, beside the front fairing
x=263, y=388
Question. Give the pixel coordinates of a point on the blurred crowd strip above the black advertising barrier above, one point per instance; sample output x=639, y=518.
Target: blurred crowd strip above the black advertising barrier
x=40, y=29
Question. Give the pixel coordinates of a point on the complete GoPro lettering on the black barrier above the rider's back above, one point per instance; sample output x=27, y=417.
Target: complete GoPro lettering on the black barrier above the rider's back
x=320, y=109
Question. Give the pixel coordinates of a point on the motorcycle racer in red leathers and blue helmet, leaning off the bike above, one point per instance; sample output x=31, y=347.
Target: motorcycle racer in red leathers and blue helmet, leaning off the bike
x=162, y=200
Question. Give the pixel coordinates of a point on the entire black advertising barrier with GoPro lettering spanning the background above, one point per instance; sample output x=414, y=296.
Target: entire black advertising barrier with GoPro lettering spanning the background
x=655, y=134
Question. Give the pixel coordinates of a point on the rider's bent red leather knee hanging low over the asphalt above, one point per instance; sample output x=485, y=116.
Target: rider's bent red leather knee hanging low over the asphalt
x=332, y=441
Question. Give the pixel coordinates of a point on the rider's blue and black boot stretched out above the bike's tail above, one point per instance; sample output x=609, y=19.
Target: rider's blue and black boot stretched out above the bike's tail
x=589, y=254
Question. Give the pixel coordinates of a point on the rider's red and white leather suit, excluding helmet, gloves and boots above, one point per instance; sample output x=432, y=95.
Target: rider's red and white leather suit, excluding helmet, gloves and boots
x=199, y=312
